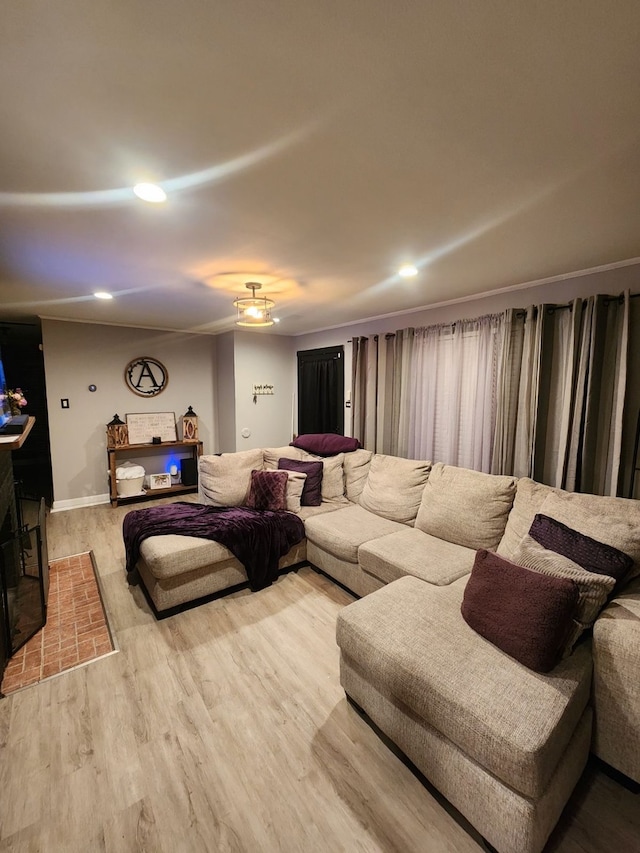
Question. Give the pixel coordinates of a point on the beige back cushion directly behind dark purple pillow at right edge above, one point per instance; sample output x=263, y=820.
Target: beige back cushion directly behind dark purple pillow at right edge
x=614, y=521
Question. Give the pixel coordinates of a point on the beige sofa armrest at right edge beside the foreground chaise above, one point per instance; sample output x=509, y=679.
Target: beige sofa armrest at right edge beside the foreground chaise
x=616, y=682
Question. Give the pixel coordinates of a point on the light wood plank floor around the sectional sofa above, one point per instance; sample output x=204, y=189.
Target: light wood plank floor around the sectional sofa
x=224, y=728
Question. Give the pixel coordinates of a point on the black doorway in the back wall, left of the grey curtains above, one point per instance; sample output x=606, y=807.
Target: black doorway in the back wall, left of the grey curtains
x=321, y=390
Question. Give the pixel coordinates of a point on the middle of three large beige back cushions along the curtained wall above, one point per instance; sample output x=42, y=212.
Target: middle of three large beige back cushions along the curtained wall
x=466, y=507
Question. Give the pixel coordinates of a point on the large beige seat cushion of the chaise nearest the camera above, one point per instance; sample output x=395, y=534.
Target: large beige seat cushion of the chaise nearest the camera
x=410, y=641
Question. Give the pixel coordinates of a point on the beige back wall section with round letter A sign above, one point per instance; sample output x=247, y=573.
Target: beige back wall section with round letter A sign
x=77, y=355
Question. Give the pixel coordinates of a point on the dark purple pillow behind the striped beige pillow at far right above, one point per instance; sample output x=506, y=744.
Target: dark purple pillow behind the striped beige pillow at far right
x=588, y=553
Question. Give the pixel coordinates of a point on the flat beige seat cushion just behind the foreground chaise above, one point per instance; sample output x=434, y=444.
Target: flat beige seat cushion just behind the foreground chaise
x=412, y=552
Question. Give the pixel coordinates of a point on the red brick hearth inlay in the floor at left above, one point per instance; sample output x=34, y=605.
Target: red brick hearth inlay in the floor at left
x=76, y=630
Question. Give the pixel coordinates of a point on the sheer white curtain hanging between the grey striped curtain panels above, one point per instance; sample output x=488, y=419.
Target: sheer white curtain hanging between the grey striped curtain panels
x=452, y=405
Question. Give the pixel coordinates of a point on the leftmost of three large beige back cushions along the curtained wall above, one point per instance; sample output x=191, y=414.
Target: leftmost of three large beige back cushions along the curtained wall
x=394, y=487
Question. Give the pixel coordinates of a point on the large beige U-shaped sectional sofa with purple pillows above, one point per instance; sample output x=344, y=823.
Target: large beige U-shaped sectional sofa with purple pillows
x=505, y=744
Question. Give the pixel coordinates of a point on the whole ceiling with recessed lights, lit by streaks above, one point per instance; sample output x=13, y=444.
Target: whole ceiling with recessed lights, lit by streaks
x=320, y=144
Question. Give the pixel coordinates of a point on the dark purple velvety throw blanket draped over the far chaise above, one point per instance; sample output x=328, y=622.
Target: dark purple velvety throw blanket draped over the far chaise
x=257, y=538
